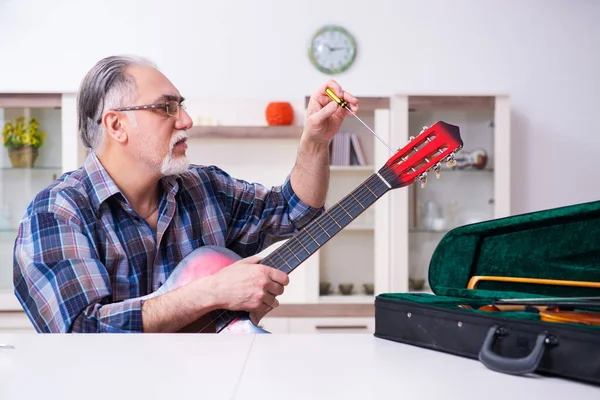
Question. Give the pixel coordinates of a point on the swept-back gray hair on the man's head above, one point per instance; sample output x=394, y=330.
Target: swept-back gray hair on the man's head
x=106, y=86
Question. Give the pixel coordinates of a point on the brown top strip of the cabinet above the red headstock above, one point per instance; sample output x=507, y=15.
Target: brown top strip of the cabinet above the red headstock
x=430, y=103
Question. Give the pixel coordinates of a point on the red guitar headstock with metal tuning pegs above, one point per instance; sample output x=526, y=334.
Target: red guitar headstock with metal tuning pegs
x=434, y=145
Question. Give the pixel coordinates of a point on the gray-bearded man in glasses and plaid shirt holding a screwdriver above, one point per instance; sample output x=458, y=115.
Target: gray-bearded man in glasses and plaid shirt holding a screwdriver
x=94, y=244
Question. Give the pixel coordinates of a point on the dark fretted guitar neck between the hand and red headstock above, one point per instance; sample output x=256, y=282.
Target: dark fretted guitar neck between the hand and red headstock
x=320, y=230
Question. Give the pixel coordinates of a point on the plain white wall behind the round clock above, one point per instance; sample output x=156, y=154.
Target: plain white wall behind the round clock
x=543, y=53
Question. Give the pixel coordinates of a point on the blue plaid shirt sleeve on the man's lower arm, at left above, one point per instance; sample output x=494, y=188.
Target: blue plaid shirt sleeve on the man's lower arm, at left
x=62, y=285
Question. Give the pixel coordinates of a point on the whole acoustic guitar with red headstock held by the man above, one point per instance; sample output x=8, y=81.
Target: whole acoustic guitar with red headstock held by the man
x=433, y=145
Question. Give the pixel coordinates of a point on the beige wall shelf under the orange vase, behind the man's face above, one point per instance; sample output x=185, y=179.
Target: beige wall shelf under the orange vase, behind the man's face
x=246, y=132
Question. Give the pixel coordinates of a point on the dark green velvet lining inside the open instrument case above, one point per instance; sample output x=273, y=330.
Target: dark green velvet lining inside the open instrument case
x=561, y=243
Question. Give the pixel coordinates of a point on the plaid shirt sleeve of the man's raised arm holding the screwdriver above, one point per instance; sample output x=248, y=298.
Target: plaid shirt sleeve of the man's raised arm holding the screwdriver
x=257, y=215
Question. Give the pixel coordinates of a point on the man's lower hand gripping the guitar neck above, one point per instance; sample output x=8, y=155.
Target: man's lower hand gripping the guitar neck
x=250, y=286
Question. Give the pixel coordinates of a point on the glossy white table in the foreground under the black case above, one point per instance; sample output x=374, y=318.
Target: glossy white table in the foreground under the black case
x=312, y=366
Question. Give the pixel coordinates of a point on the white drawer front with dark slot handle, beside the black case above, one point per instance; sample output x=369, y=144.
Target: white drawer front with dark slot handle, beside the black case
x=332, y=325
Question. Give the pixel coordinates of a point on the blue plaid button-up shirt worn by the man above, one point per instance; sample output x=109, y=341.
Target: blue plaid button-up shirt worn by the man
x=83, y=257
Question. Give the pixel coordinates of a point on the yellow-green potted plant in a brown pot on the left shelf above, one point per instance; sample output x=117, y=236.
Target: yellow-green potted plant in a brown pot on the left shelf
x=23, y=138
